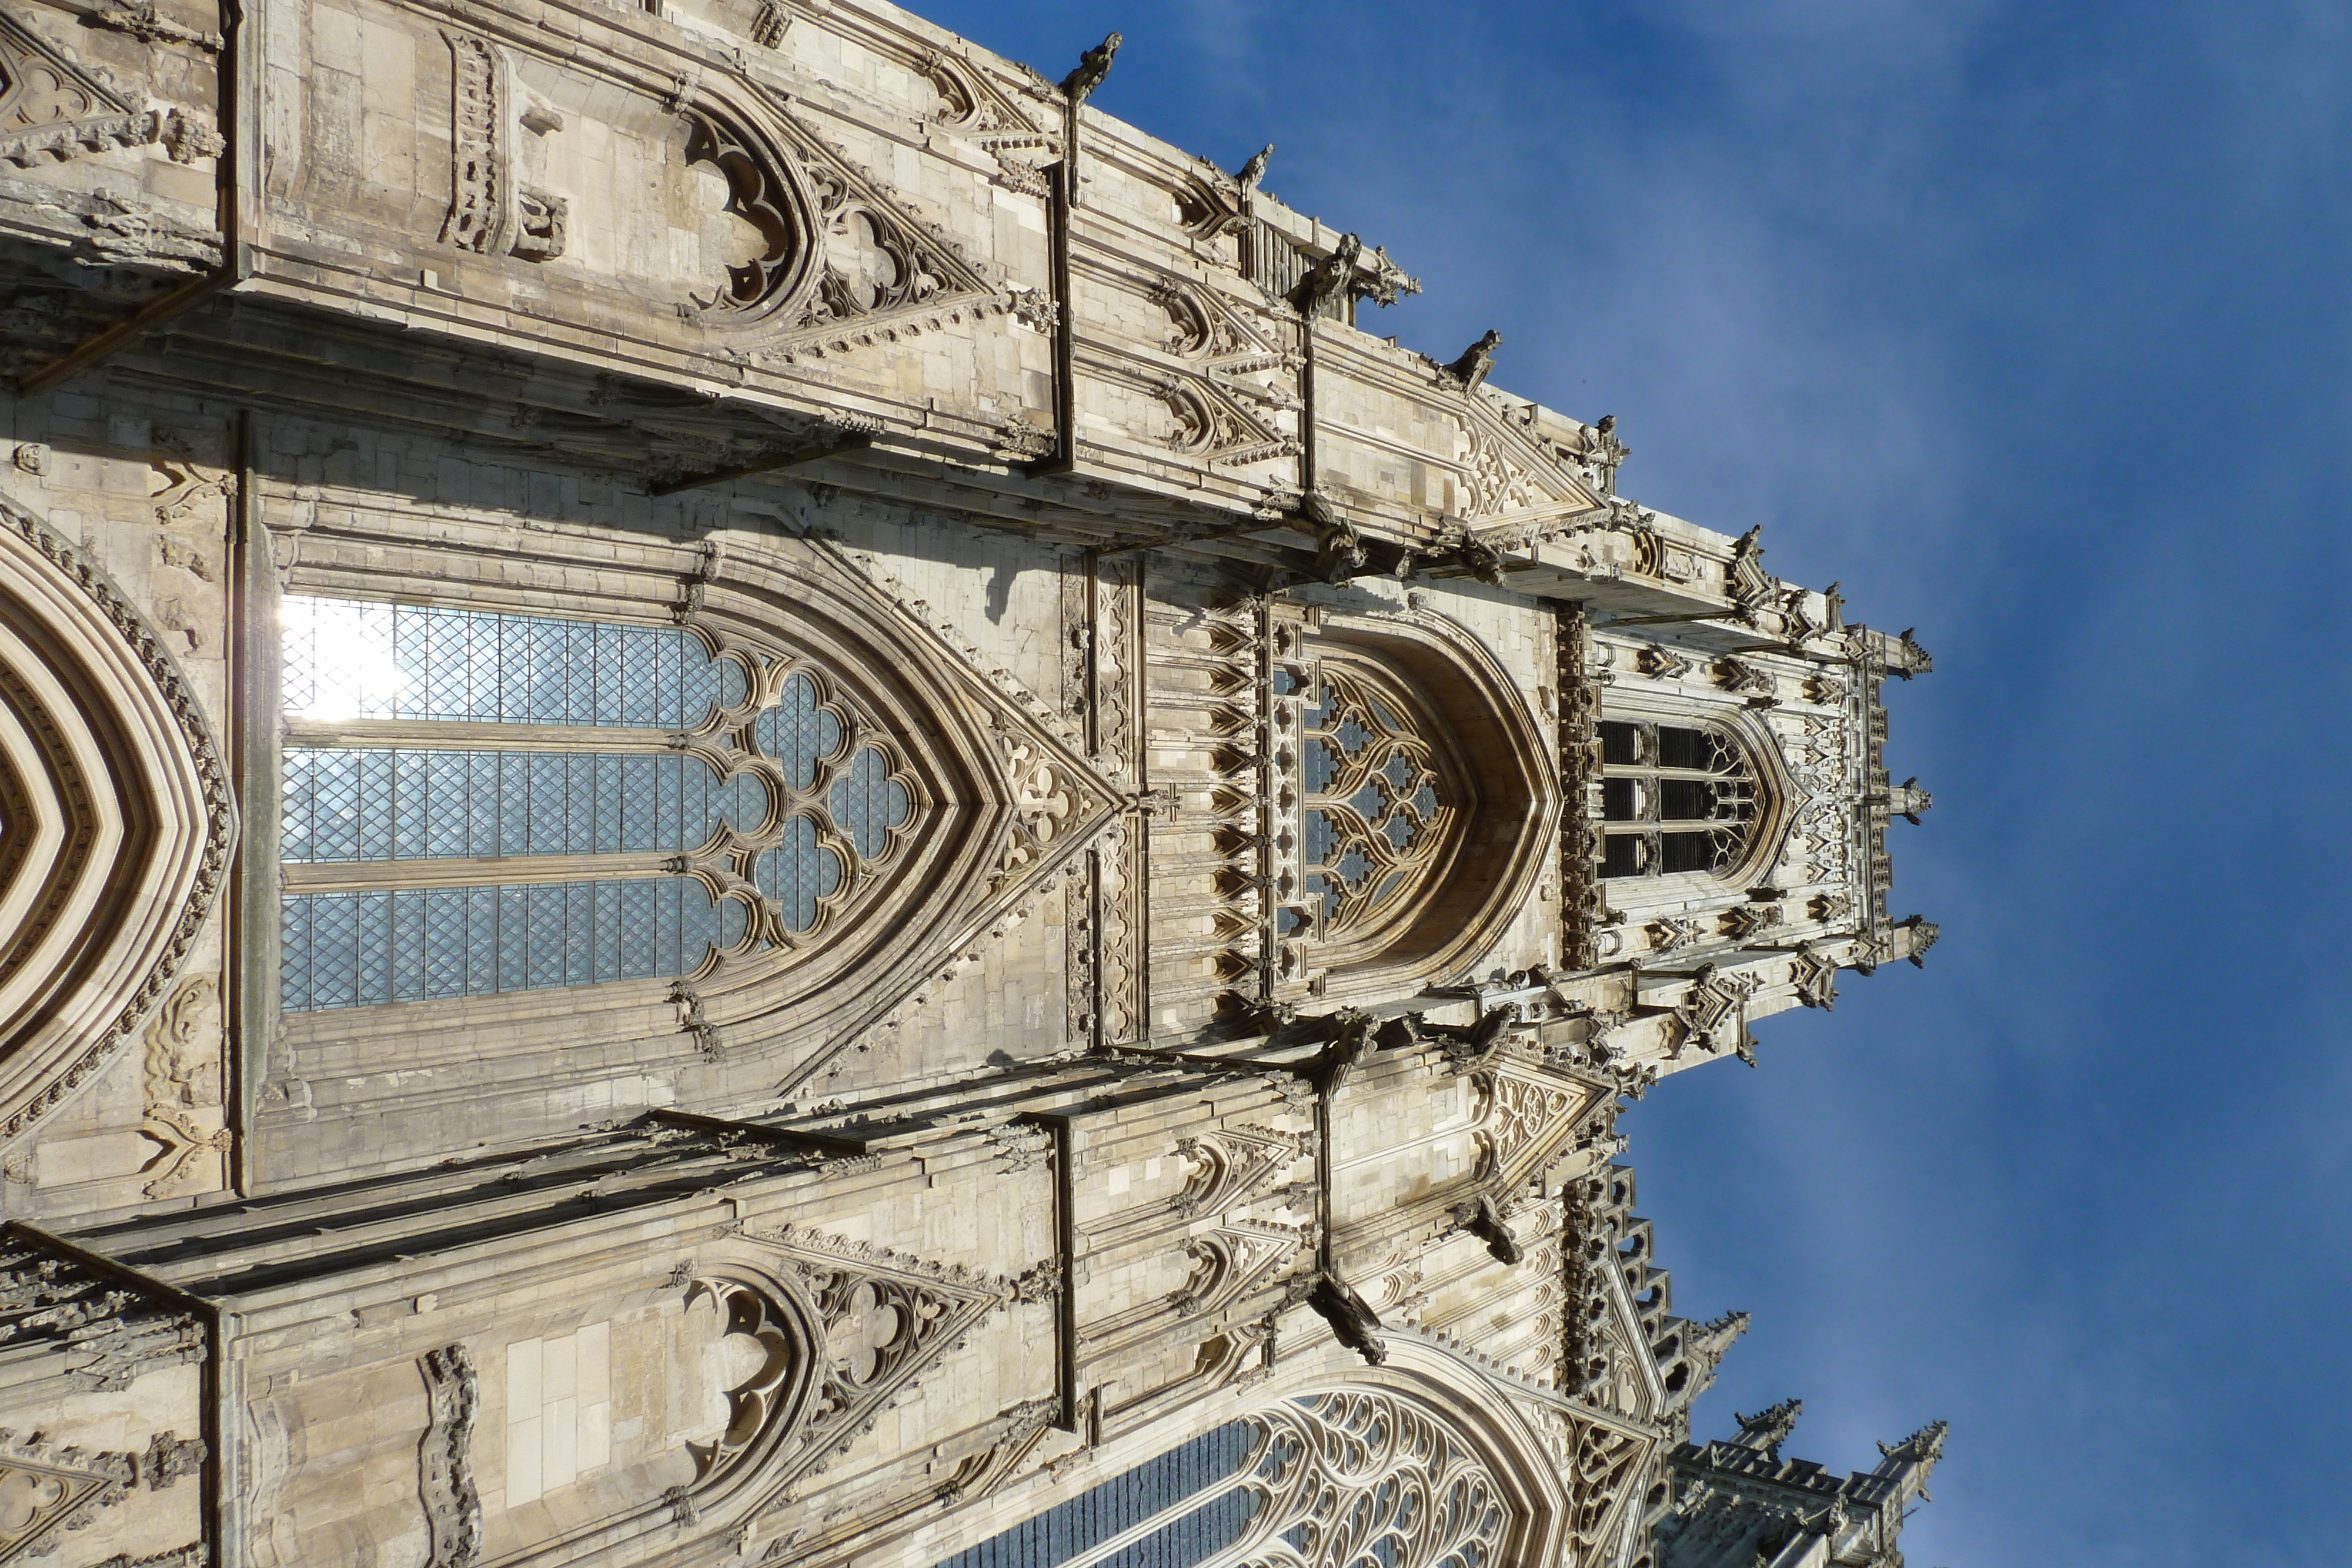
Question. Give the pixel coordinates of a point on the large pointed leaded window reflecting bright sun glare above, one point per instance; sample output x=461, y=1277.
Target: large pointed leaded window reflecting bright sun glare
x=481, y=803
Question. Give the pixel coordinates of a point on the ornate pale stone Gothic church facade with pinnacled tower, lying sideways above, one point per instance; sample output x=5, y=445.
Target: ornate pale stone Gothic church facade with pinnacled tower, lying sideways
x=766, y=803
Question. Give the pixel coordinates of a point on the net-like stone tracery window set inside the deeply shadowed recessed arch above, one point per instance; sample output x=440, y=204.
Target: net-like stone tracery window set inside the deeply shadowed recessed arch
x=1377, y=805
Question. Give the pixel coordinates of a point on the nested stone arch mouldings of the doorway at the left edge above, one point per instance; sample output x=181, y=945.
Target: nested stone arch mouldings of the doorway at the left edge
x=121, y=819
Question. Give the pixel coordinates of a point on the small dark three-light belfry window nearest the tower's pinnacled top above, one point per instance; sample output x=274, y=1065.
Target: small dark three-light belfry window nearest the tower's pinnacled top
x=1676, y=798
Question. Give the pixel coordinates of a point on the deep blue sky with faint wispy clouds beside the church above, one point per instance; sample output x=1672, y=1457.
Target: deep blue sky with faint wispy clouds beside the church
x=2029, y=323
